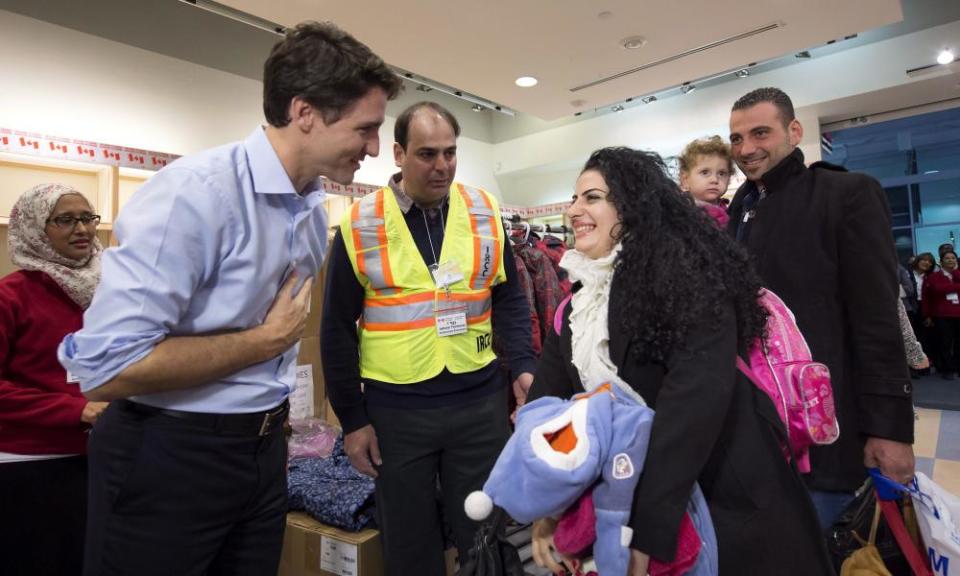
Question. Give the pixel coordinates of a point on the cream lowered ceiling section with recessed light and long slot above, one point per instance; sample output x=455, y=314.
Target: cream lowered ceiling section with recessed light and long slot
x=481, y=47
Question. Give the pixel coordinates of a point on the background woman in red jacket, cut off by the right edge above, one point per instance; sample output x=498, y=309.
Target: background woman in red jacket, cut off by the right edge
x=941, y=308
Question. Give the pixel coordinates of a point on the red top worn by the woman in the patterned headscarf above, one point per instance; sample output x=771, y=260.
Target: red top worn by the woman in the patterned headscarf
x=39, y=410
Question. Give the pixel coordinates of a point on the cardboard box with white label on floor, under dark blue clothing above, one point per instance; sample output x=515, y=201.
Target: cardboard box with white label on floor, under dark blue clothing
x=314, y=549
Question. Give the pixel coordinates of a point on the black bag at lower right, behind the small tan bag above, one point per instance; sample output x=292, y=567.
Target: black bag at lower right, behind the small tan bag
x=852, y=529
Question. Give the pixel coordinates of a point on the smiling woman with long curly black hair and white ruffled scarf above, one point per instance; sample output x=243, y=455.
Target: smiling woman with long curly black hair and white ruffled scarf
x=664, y=302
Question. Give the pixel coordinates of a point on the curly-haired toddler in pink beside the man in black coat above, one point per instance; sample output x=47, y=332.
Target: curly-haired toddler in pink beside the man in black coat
x=705, y=170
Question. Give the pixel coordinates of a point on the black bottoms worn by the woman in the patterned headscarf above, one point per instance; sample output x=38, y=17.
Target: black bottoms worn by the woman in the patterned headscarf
x=43, y=509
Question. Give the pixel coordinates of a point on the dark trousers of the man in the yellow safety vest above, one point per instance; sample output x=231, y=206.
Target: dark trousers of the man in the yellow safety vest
x=459, y=445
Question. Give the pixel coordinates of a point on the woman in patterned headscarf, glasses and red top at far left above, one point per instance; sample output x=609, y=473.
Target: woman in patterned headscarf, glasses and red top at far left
x=43, y=416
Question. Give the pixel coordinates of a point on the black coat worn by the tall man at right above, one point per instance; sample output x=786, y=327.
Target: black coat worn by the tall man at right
x=821, y=240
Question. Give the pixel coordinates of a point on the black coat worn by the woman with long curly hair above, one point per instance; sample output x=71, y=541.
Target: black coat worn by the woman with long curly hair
x=712, y=426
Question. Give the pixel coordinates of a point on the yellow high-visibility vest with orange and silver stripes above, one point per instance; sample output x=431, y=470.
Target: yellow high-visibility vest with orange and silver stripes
x=399, y=339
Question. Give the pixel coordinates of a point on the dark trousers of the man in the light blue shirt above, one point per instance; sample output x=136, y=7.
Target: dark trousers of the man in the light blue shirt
x=171, y=498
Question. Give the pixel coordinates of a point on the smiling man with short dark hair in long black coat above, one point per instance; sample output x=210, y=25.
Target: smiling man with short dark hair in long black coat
x=820, y=239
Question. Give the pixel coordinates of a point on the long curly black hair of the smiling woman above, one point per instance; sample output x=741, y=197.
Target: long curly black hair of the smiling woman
x=659, y=227
